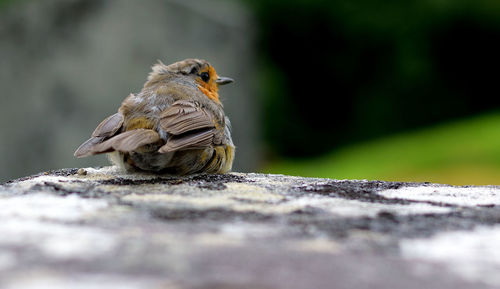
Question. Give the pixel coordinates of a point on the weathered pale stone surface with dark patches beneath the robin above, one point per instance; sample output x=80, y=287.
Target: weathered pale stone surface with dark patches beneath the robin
x=100, y=228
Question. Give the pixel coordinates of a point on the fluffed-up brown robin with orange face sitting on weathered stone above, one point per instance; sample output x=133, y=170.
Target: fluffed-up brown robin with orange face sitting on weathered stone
x=174, y=125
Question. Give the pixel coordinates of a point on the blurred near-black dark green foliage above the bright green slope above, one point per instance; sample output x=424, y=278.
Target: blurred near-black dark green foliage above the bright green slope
x=339, y=72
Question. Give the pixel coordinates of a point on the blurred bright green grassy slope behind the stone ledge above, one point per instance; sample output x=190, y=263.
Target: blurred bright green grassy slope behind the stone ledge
x=462, y=153
